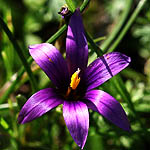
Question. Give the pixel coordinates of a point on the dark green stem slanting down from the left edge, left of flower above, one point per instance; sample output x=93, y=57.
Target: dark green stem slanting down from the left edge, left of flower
x=19, y=52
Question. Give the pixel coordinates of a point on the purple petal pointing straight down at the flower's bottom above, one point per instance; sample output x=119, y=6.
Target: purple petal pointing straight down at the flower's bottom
x=76, y=117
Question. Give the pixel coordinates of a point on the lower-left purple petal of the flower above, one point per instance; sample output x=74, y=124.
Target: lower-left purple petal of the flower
x=38, y=104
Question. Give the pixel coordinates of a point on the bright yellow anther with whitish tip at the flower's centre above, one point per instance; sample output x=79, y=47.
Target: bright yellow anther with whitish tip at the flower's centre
x=75, y=80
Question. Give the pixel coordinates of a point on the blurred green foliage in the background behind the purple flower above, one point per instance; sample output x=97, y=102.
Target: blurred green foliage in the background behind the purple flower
x=33, y=21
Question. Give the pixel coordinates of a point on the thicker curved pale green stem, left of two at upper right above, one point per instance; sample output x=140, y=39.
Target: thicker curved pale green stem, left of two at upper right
x=118, y=26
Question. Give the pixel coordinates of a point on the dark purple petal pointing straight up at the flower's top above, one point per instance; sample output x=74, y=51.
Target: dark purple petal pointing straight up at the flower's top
x=76, y=44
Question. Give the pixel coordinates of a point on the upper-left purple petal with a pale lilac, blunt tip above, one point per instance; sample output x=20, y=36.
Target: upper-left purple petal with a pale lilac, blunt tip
x=52, y=63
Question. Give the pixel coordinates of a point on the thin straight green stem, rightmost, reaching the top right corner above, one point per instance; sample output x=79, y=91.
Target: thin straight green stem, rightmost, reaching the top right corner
x=128, y=25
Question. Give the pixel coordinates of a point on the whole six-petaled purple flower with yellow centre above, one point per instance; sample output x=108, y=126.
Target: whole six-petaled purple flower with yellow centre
x=75, y=82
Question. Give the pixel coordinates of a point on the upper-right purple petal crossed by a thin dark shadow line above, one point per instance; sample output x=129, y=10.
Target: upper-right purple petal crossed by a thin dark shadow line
x=104, y=68
